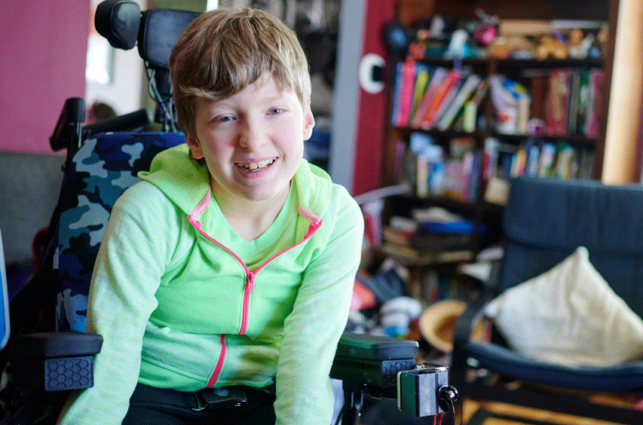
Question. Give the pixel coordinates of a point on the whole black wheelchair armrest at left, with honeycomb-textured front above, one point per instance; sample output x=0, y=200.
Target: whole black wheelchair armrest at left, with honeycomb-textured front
x=54, y=361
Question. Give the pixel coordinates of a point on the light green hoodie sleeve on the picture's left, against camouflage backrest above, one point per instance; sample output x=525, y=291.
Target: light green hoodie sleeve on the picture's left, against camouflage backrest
x=127, y=273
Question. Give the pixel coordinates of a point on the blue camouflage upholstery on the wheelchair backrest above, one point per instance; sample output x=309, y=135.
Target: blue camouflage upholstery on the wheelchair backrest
x=98, y=174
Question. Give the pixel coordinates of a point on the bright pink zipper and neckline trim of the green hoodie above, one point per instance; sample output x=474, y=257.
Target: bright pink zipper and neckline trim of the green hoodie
x=315, y=224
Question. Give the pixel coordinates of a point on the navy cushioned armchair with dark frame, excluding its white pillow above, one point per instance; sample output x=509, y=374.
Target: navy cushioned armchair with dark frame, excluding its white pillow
x=545, y=220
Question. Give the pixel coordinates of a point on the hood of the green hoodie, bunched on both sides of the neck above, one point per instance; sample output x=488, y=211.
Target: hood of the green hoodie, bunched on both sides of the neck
x=186, y=183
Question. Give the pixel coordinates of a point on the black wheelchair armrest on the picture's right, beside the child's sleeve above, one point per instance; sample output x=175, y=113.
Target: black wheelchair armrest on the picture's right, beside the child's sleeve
x=372, y=360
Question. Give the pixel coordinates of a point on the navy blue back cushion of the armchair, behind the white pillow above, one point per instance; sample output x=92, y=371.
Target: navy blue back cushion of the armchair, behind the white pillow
x=547, y=219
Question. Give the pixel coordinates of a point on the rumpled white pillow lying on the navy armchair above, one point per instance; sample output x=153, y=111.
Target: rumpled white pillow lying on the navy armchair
x=570, y=316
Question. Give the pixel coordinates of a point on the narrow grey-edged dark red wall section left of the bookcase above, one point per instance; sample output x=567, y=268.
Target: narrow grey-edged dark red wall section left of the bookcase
x=359, y=116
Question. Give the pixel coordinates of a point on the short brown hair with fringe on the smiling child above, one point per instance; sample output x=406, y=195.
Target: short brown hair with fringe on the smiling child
x=223, y=51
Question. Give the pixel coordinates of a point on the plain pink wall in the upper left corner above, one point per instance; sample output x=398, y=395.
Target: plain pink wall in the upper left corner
x=42, y=63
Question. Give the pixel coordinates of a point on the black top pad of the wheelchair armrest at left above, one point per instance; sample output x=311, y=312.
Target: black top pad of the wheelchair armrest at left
x=56, y=344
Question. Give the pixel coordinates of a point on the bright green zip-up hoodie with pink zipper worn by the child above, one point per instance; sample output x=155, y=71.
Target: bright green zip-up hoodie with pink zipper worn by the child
x=184, y=303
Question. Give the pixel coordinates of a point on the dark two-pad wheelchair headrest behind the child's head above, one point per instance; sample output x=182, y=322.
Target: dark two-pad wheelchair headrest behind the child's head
x=156, y=30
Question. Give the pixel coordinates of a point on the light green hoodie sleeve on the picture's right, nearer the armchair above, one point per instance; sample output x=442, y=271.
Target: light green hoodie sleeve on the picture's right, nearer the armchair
x=313, y=329
